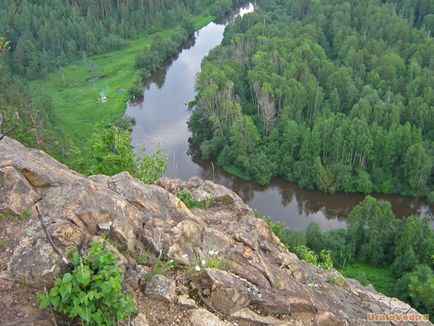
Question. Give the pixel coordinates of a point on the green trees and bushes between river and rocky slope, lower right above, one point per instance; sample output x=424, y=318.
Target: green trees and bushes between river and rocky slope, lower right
x=405, y=247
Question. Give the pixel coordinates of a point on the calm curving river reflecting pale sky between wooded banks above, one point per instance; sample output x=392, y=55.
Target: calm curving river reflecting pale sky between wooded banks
x=161, y=122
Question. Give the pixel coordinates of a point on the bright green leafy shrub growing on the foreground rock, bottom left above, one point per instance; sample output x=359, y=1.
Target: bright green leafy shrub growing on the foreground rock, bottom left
x=92, y=290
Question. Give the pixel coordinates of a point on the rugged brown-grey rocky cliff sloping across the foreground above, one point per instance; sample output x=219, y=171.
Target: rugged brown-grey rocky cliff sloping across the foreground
x=261, y=282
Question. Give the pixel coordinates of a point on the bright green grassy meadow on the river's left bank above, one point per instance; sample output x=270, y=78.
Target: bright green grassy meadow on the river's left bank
x=76, y=88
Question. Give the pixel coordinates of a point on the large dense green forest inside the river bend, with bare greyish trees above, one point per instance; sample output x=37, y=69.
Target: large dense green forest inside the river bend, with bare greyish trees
x=332, y=95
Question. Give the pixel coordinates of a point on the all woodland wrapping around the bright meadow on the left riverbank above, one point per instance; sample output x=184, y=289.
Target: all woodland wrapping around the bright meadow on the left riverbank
x=44, y=35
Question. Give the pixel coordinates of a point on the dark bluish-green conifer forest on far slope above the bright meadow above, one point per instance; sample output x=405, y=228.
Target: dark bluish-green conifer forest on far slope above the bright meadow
x=51, y=33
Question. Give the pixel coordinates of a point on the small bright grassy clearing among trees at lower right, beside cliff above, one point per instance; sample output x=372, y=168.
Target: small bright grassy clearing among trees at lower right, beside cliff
x=380, y=277
